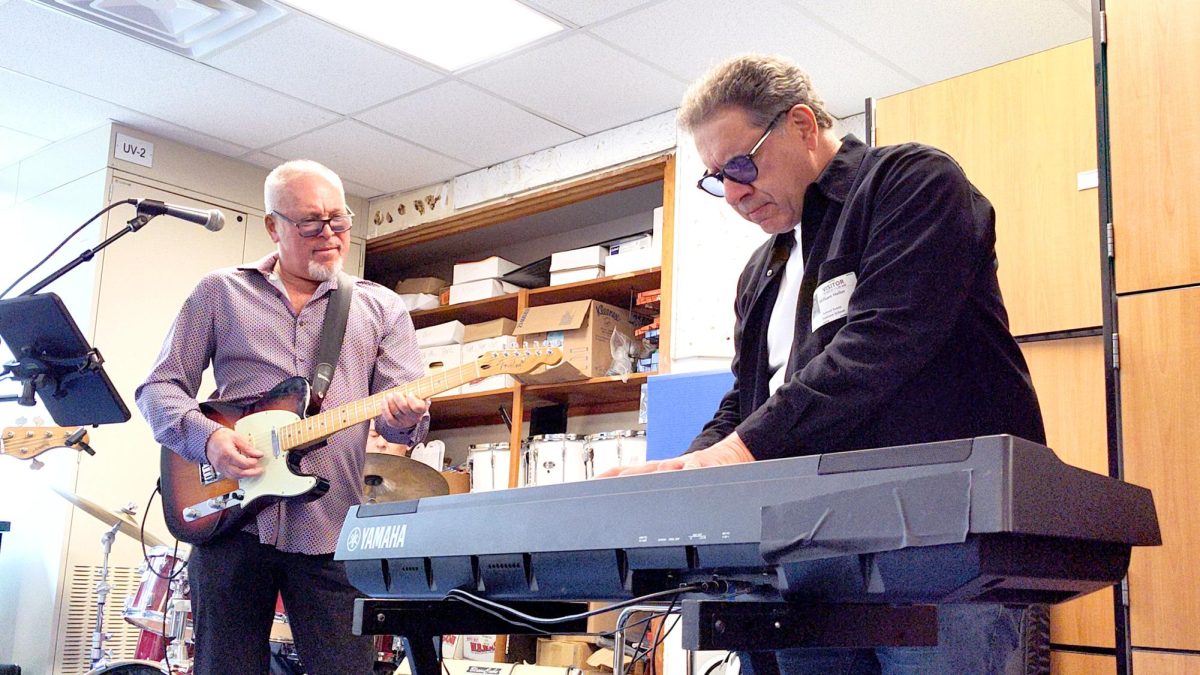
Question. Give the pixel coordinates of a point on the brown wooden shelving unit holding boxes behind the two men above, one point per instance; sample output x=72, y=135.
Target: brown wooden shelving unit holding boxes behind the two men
x=478, y=234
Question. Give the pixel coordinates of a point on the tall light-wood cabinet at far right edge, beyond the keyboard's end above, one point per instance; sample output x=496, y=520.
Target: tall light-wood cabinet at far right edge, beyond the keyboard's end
x=1154, y=80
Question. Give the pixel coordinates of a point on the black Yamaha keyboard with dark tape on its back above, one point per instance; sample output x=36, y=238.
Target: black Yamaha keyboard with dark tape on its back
x=989, y=519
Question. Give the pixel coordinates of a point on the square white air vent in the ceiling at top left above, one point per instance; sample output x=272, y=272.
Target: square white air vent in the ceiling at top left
x=193, y=28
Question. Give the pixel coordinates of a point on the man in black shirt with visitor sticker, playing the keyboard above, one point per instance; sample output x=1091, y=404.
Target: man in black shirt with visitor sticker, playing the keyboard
x=872, y=318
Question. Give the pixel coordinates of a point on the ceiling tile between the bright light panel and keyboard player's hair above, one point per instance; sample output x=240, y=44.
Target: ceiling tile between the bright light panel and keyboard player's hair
x=583, y=83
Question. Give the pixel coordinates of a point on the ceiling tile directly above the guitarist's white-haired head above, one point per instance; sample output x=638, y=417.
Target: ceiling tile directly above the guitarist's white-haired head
x=371, y=158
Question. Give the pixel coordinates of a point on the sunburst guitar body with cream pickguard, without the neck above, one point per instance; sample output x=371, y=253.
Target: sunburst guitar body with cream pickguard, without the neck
x=185, y=485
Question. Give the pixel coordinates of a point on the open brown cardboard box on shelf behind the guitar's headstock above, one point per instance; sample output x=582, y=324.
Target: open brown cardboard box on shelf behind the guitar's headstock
x=585, y=331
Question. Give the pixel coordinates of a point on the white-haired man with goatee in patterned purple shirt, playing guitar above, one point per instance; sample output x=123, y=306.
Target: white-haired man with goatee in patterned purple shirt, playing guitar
x=259, y=325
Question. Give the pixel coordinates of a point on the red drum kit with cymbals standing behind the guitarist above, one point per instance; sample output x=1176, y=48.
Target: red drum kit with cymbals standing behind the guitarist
x=161, y=606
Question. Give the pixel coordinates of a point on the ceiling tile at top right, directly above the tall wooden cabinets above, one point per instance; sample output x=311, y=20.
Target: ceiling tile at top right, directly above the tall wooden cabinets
x=968, y=40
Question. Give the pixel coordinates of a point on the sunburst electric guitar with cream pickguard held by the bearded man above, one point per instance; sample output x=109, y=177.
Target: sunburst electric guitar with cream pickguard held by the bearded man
x=200, y=504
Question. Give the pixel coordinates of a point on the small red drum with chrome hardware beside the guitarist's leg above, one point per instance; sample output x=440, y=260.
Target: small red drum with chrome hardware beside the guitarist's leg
x=148, y=608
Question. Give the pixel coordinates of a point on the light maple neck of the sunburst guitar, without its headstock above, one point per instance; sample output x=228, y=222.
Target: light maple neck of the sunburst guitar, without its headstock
x=329, y=422
